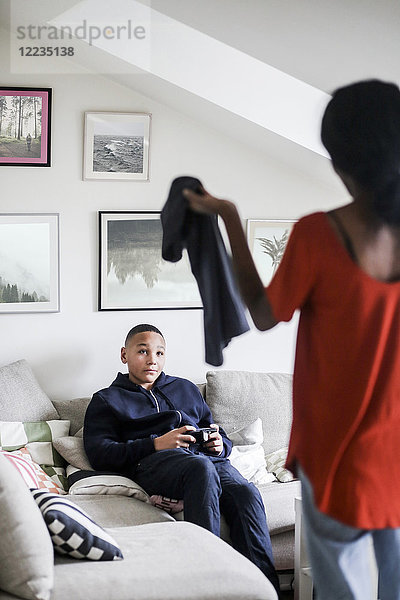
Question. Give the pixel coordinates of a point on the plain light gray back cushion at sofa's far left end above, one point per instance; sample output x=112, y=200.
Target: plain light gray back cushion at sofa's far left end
x=21, y=397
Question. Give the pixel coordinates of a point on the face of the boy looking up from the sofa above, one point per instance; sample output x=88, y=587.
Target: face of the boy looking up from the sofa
x=145, y=357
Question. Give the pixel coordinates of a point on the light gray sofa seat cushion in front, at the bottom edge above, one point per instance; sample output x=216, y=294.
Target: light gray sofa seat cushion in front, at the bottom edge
x=166, y=561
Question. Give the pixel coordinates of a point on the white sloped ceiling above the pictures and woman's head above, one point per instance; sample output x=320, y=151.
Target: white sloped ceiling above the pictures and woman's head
x=302, y=48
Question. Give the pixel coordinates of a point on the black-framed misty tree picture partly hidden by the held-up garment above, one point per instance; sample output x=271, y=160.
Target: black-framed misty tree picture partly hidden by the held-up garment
x=133, y=275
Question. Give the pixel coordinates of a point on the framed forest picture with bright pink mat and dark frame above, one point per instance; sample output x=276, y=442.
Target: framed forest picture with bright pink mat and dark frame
x=25, y=126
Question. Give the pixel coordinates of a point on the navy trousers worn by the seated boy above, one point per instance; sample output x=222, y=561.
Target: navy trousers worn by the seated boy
x=210, y=486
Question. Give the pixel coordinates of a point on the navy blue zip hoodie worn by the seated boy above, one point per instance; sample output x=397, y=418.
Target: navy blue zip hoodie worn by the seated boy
x=122, y=420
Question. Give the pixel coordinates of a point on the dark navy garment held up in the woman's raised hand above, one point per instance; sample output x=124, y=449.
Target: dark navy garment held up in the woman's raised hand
x=224, y=315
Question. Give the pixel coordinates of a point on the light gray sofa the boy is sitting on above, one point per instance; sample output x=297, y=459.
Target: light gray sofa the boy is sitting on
x=164, y=557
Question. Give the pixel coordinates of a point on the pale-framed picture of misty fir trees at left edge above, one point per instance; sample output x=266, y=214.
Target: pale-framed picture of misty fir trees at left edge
x=29, y=265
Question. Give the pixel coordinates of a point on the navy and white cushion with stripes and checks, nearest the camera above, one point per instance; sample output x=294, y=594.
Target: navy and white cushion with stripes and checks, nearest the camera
x=72, y=531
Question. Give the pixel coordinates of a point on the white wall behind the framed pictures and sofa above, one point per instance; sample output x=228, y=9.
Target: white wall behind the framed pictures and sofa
x=76, y=351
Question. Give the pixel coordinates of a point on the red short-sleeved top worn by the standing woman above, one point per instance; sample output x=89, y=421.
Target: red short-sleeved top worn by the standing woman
x=346, y=387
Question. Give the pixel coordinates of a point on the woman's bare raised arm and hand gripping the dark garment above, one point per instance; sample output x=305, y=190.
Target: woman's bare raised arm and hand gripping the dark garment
x=250, y=284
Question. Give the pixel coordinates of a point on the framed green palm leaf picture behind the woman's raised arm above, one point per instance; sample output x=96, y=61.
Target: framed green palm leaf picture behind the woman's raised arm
x=267, y=241
